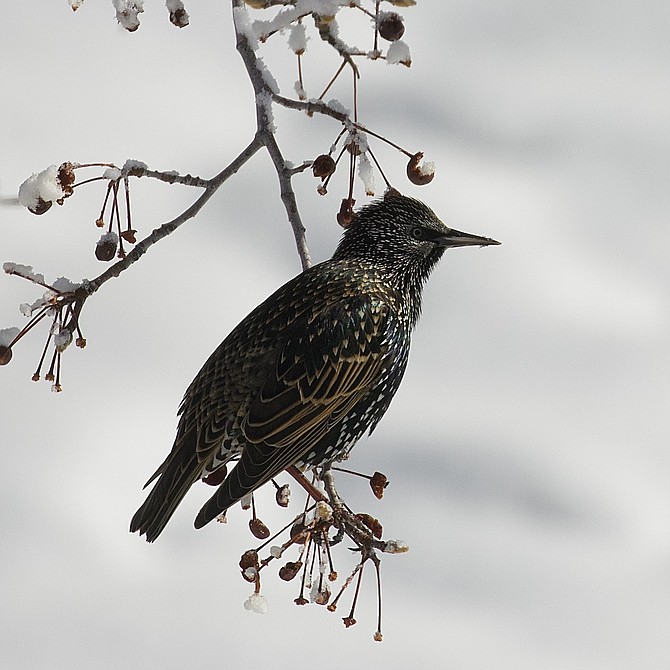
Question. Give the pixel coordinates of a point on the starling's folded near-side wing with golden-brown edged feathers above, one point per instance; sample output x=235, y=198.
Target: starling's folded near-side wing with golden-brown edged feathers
x=325, y=366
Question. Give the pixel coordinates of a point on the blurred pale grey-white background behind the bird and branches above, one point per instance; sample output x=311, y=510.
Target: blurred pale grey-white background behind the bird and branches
x=528, y=445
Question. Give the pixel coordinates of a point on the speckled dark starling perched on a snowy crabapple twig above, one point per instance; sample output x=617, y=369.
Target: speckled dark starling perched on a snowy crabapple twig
x=311, y=369
